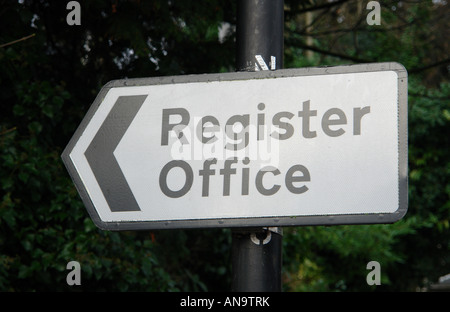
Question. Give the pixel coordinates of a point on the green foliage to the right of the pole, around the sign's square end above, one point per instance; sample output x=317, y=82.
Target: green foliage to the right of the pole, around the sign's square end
x=410, y=33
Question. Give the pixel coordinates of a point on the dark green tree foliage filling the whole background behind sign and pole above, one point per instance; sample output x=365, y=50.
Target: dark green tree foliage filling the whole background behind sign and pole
x=50, y=73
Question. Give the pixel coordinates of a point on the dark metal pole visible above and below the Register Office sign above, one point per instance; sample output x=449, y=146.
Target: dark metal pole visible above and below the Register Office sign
x=256, y=252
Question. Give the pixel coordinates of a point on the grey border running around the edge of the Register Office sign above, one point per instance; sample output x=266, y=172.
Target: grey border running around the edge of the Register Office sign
x=256, y=221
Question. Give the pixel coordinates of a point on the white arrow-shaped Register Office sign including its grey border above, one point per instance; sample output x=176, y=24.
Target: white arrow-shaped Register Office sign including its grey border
x=270, y=148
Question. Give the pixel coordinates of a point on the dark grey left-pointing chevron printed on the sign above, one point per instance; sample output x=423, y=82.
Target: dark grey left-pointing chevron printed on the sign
x=100, y=155
